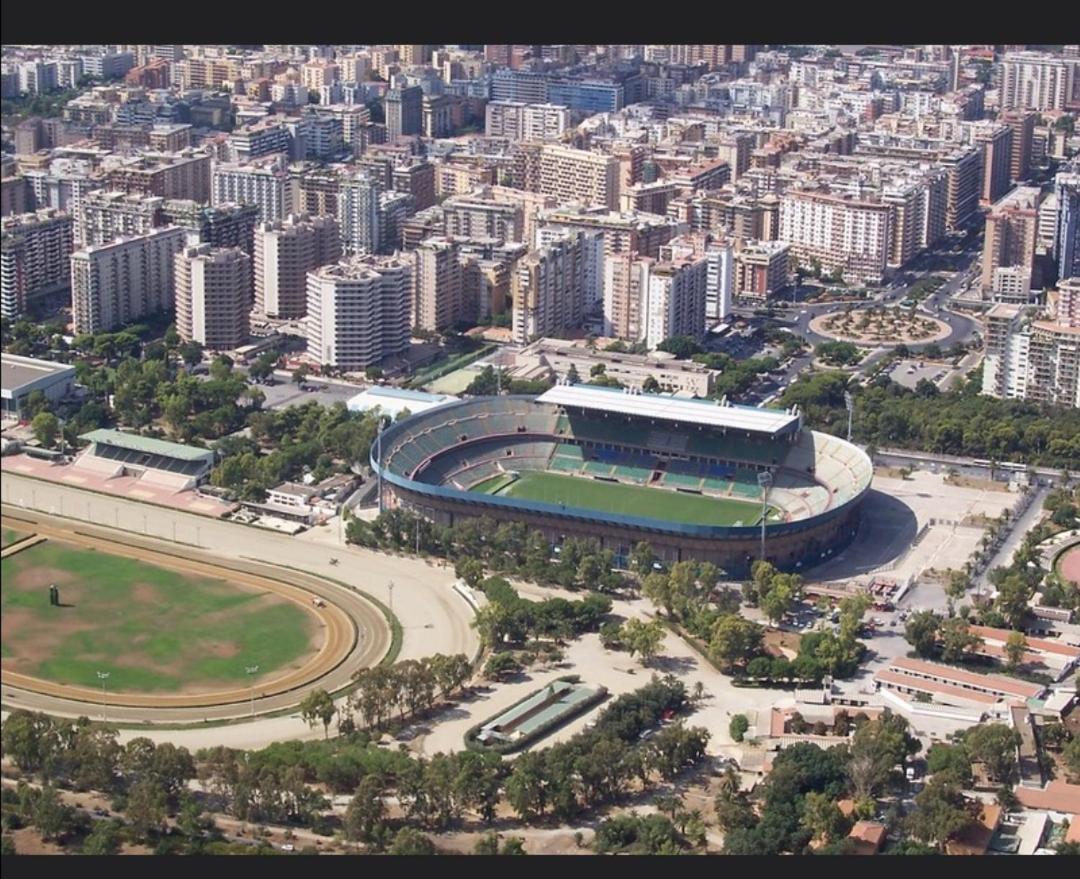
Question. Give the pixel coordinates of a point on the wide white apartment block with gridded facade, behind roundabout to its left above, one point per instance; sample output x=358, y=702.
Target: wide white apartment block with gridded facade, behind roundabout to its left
x=843, y=235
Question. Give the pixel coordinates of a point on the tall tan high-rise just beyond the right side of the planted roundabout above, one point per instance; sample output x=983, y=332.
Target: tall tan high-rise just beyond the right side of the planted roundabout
x=1011, y=233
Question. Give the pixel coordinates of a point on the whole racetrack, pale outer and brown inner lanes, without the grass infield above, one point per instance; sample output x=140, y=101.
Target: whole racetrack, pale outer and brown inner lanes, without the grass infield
x=434, y=618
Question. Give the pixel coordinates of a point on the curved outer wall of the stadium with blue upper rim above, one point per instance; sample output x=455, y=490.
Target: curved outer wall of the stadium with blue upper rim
x=791, y=546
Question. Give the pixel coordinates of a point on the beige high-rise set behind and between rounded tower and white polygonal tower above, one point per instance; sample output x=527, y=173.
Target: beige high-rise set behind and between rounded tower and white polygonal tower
x=286, y=251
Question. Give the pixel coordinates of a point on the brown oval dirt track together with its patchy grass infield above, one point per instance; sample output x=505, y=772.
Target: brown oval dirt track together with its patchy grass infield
x=174, y=632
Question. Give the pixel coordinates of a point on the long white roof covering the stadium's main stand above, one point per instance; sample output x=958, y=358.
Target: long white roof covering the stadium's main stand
x=669, y=409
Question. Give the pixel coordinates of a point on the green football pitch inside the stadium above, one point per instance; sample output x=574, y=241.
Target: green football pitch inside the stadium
x=629, y=501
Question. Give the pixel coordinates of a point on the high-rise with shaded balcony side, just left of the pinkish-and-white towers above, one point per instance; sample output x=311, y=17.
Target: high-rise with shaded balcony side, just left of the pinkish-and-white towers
x=549, y=288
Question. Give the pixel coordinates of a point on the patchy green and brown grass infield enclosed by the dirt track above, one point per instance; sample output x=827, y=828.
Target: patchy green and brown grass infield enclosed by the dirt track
x=153, y=630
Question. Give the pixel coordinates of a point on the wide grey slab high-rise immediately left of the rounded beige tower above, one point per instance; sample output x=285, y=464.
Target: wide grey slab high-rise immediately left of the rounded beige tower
x=116, y=285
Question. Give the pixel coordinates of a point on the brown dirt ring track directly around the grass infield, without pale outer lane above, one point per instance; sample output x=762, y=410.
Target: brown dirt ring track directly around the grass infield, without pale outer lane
x=356, y=632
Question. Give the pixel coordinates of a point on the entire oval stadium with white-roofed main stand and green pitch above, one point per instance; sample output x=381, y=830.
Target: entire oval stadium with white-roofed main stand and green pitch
x=619, y=467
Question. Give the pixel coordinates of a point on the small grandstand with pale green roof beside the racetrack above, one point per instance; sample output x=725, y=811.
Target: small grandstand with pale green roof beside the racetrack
x=165, y=465
